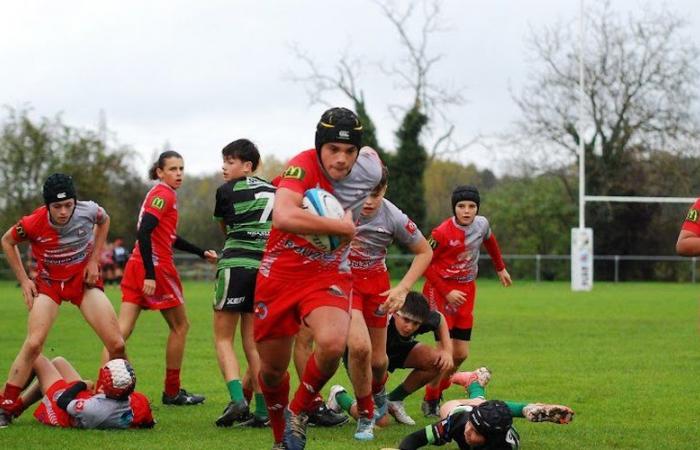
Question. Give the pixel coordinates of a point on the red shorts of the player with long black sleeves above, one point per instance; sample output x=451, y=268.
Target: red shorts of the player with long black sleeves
x=168, y=292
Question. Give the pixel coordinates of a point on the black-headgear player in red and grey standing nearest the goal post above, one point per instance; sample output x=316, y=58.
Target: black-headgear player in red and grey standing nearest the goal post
x=451, y=277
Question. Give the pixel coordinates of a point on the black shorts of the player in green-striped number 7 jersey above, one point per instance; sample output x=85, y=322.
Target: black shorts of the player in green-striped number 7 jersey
x=234, y=289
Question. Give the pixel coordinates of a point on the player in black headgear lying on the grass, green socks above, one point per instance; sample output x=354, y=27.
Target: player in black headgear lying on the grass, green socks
x=476, y=423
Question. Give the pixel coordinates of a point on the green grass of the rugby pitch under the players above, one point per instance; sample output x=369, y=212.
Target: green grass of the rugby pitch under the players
x=626, y=357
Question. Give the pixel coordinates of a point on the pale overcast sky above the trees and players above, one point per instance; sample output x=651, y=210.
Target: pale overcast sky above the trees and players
x=198, y=75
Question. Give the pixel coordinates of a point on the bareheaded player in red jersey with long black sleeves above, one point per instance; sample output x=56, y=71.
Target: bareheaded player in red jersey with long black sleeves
x=151, y=281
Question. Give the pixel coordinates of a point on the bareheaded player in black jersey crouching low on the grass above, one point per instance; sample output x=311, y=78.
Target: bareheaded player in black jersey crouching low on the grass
x=405, y=352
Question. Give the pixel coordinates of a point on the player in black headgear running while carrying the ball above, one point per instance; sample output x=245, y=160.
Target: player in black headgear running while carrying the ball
x=298, y=282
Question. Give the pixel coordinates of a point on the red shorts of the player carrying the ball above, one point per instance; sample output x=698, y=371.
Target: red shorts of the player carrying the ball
x=281, y=305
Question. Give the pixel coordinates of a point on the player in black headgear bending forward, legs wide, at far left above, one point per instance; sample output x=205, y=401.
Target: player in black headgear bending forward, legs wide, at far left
x=66, y=237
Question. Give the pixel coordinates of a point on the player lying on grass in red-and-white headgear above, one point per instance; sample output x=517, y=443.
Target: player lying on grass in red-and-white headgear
x=69, y=401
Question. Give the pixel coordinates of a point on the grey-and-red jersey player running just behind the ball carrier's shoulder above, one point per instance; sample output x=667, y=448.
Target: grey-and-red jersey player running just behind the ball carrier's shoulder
x=373, y=298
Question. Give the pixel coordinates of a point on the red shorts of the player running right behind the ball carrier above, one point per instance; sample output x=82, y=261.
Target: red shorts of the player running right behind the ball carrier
x=366, y=288
